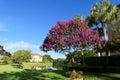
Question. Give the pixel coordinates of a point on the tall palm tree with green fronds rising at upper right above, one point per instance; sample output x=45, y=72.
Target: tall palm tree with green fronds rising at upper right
x=103, y=13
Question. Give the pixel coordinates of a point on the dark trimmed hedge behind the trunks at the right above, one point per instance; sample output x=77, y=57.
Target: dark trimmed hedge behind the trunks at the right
x=101, y=61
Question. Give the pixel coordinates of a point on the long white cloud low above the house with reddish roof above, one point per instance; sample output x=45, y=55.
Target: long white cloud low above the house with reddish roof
x=19, y=45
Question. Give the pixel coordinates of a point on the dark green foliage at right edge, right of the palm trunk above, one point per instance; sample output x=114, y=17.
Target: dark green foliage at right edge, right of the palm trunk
x=113, y=43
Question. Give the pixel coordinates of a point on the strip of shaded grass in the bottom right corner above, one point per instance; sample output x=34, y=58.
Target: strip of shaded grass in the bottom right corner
x=103, y=76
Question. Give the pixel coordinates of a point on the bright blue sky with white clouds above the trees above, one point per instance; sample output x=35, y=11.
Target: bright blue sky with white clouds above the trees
x=25, y=23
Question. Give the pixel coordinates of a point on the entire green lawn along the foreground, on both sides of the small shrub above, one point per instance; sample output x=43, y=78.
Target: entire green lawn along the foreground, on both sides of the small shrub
x=15, y=72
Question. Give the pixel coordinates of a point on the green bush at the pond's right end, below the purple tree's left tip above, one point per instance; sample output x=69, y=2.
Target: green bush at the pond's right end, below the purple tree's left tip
x=59, y=63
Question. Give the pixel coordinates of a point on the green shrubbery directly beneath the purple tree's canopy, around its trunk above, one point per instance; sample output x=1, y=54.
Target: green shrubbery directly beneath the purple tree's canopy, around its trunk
x=76, y=55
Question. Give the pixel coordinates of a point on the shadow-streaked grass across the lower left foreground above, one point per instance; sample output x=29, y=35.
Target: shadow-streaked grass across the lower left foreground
x=33, y=75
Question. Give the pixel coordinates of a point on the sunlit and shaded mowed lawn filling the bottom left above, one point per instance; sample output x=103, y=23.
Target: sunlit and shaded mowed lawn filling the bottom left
x=13, y=72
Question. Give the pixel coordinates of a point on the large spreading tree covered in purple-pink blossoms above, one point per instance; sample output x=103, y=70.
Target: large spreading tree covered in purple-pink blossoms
x=72, y=35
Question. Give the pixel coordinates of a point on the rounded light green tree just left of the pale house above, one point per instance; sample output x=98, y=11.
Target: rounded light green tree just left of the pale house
x=21, y=56
